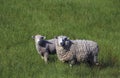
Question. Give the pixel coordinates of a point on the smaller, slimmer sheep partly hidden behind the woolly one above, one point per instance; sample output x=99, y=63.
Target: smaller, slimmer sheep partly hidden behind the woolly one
x=44, y=47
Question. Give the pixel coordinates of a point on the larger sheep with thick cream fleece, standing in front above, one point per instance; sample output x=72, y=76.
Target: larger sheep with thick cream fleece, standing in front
x=76, y=51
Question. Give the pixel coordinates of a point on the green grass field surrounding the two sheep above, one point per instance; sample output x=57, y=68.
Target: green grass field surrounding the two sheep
x=97, y=20
